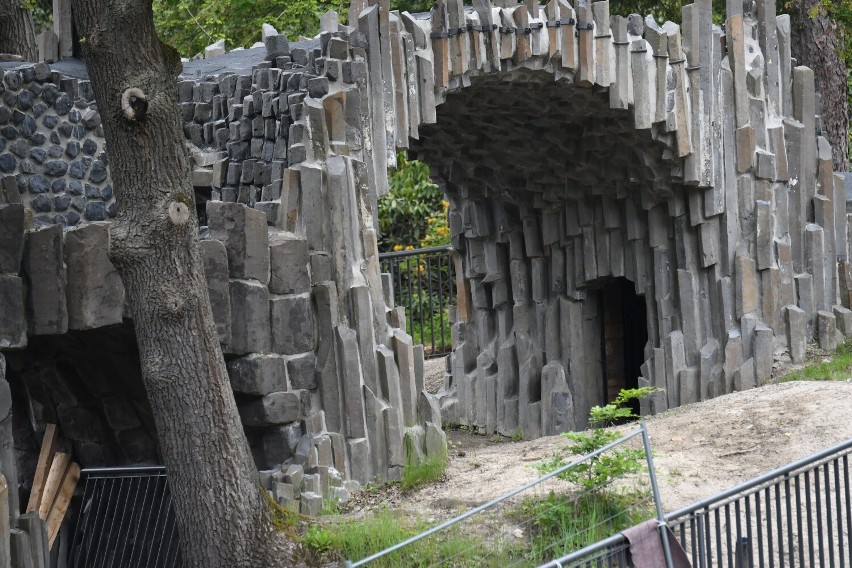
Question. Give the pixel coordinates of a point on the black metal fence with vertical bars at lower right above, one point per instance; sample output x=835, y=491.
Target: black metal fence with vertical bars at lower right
x=795, y=516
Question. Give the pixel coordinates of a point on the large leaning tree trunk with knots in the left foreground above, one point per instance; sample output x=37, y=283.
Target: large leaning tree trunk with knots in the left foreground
x=222, y=514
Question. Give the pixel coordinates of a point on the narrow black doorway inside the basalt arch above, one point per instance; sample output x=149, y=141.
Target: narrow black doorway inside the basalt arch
x=623, y=336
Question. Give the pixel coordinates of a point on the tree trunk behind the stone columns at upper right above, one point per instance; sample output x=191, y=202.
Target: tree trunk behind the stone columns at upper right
x=817, y=43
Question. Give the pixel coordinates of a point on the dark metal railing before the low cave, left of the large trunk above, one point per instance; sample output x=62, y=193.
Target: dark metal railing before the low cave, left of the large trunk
x=126, y=520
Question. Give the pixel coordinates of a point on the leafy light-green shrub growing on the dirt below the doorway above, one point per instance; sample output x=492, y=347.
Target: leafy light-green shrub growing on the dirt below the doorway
x=596, y=473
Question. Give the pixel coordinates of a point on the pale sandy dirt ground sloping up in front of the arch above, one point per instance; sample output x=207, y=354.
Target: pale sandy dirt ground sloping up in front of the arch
x=699, y=449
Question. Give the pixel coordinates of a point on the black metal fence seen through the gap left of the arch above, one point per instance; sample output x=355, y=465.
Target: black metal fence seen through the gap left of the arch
x=423, y=285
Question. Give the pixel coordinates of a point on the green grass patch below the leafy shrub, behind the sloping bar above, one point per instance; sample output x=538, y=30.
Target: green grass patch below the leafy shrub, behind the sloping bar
x=564, y=523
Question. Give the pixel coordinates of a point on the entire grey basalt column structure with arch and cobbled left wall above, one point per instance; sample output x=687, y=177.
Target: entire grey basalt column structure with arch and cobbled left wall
x=631, y=204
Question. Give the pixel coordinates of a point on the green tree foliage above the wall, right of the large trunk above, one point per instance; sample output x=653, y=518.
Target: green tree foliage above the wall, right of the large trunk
x=190, y=25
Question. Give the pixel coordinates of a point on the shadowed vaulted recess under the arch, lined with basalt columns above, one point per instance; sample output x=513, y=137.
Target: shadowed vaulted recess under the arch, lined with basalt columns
x=550, y=192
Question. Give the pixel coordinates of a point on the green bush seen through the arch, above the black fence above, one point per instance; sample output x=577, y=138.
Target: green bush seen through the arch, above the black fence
x=405, y=211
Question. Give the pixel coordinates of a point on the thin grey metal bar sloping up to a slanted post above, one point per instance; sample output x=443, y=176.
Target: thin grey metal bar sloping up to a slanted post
x=608, y=556
